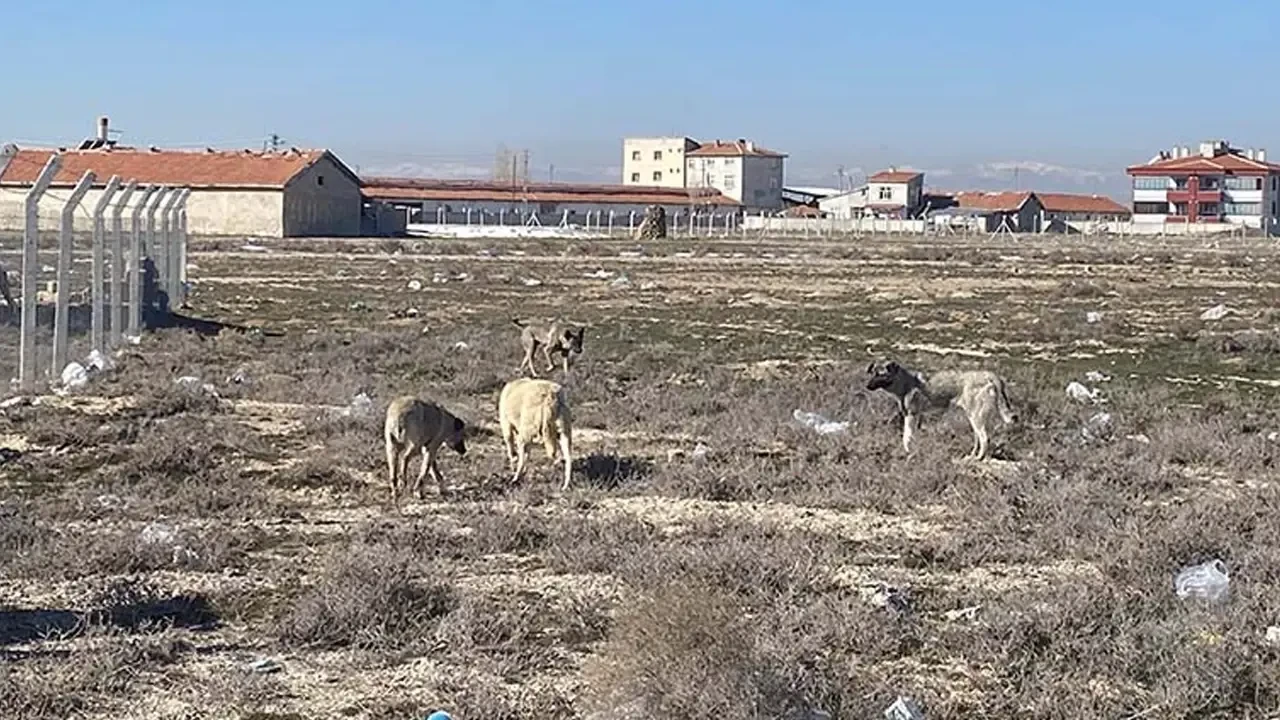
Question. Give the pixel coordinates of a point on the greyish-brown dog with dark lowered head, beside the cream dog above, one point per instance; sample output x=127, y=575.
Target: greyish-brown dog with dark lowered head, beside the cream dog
x=418, y=426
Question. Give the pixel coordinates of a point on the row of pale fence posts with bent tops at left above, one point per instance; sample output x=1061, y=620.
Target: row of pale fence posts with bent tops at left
x=107, y=295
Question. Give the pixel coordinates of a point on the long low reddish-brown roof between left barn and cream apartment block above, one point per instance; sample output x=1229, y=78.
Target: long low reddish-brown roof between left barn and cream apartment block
x=482, y=192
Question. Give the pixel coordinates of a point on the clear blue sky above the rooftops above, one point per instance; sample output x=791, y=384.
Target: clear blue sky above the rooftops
x=1068, y=92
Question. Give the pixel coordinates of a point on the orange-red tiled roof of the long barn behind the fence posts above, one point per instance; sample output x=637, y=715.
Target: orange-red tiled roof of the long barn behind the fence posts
x=198, y=170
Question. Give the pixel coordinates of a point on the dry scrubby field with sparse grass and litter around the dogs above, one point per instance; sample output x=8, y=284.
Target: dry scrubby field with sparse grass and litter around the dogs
x=158, y=540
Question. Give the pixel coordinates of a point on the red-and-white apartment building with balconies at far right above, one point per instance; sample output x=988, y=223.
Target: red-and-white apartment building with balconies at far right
x=1218, y=185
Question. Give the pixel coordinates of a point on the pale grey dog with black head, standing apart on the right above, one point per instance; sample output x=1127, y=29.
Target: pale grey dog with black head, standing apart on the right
x=981, y=394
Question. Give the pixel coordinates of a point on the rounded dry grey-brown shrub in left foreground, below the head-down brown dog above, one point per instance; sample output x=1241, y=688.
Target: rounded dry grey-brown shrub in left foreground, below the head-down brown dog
x=367, y=598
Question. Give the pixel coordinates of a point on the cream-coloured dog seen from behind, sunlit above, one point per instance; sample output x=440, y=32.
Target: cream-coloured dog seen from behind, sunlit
x=533, y=411
